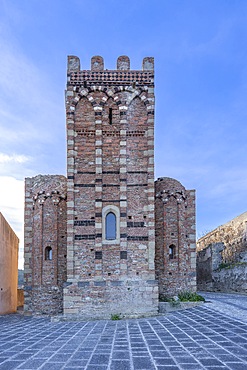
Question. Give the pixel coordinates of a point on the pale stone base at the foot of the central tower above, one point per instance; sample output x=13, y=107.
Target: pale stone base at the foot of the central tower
x=102, y=299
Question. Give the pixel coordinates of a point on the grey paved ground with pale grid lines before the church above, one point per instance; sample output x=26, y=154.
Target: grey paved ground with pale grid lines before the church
x=194, y=339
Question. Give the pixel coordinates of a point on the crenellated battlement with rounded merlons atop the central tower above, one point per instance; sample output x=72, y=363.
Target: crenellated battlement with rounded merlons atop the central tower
x=120, y=76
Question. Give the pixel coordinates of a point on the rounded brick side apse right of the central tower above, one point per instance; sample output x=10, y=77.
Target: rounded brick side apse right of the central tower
x=175, y=237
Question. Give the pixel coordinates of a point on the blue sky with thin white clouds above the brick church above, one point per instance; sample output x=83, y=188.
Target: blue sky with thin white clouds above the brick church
x=200, y=53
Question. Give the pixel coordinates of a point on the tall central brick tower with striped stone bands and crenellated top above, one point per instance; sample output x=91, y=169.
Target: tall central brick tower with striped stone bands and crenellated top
x=110, y=130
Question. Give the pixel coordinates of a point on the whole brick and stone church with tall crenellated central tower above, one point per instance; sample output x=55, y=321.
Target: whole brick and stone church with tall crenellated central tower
x=107, y=239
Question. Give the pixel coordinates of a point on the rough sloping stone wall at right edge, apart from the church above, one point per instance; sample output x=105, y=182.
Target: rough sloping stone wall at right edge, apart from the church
x=222, y=257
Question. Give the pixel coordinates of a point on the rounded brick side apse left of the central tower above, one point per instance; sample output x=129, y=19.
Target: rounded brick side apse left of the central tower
x=45, y=243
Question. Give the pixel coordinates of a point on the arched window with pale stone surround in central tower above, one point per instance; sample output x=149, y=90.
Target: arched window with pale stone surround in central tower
x=111, y=214
